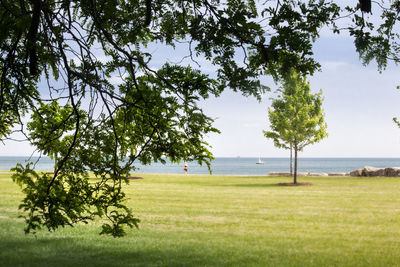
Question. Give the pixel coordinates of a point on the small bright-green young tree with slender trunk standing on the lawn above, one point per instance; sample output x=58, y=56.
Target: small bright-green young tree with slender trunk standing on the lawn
x=296, y=116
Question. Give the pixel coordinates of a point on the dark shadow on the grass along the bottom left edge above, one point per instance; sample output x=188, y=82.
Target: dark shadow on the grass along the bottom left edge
x=101, y=252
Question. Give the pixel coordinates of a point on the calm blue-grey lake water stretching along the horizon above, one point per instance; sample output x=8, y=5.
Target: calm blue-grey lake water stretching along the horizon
x=236, y=166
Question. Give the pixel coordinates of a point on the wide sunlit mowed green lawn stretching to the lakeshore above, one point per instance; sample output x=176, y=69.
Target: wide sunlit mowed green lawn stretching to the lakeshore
x=198, y=220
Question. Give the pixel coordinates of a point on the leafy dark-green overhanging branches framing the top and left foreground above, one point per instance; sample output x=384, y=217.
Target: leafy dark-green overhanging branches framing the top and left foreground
x=83, y=74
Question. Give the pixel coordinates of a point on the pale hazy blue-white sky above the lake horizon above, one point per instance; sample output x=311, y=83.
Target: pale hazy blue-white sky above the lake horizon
x=359, y=105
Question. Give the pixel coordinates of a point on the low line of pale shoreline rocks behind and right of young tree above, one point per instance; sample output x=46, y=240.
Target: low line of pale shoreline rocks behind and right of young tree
x=367, y=171
